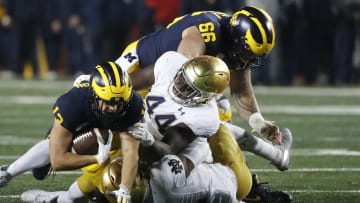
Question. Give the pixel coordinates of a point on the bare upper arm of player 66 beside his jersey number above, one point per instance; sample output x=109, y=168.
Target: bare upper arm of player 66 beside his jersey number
x=192, y=43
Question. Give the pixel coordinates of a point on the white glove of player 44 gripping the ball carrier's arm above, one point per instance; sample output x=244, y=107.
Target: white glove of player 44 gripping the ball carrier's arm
x=139, y=132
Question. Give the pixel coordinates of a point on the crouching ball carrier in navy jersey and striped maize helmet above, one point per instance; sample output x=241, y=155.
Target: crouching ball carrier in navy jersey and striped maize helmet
x=107, y=101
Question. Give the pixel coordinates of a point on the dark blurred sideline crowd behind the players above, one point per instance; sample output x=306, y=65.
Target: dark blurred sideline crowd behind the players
x=317, y=41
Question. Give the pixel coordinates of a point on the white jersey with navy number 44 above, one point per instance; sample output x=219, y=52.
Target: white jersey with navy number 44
x=162, y=111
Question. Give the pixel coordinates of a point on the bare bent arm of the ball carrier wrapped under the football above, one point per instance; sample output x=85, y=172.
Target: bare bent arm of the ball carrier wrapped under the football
x=60, y=156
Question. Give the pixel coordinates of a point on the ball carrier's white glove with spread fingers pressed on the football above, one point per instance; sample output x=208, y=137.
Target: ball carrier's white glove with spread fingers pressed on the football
x=104, y=148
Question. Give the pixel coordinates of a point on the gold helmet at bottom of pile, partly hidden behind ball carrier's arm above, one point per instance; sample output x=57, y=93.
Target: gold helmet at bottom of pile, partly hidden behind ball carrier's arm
x=111, y=178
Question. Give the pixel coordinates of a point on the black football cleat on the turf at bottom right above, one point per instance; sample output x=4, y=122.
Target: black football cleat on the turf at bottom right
x=260, y=193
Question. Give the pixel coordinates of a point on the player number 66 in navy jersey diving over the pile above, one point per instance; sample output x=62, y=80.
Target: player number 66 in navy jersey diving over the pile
x=242, y=40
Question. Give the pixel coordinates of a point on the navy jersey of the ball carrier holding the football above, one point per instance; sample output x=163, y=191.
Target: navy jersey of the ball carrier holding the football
x=73, y=111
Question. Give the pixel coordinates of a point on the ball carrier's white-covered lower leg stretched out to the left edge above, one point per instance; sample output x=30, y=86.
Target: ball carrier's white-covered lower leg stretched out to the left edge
x=37, y=156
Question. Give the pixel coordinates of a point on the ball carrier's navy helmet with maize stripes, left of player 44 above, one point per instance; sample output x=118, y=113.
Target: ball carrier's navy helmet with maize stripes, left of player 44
x=111, y=84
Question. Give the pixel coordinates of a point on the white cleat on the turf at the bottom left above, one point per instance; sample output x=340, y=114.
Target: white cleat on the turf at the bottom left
x=31, y=196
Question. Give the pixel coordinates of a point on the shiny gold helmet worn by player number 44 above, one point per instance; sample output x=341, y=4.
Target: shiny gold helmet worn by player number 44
x=199, y=80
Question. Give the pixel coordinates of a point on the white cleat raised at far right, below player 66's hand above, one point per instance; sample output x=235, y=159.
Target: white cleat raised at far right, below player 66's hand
x=286, y=143
